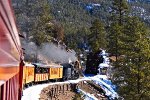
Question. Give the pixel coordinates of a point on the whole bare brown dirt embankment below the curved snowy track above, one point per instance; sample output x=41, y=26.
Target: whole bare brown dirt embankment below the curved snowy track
x=67, y=91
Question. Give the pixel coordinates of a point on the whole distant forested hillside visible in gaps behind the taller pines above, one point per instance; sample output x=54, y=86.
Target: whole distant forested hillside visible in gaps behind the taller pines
x=76, y=16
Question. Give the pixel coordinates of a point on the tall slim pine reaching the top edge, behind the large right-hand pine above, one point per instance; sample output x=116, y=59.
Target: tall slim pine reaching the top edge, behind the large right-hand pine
x=118, y=17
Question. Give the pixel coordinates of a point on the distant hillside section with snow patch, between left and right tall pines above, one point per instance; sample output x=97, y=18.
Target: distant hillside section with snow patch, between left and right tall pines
x=75, y=14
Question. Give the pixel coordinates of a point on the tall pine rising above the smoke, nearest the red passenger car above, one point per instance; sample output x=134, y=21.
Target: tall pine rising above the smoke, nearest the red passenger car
x=42, y=27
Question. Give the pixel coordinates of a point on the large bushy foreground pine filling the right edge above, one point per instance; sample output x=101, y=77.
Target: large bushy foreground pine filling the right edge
x=132, y=73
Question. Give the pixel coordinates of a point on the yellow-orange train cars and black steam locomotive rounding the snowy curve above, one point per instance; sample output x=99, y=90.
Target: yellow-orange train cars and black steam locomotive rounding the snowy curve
x=38, y=73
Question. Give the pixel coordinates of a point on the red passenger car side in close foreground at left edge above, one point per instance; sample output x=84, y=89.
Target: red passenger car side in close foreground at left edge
x=10, y=55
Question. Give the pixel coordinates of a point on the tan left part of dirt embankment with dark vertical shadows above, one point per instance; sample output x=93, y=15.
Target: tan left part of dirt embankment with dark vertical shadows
x=58, y=92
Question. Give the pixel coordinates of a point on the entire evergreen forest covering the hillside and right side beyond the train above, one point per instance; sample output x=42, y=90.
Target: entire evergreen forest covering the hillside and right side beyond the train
x=122, y=27
